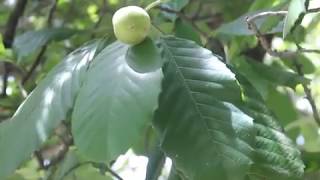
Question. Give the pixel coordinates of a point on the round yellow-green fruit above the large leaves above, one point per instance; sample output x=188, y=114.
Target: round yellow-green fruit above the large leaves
x=131, y=24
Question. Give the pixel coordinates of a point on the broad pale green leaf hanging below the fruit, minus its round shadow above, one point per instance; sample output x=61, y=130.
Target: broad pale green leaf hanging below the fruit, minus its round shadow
x=114, y=105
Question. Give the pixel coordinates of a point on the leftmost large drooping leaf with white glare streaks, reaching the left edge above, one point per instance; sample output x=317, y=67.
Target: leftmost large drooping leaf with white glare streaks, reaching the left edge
x=43, y=109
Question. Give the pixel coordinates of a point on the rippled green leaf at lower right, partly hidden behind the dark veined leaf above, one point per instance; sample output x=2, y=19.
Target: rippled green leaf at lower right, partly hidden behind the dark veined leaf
x=276, y=157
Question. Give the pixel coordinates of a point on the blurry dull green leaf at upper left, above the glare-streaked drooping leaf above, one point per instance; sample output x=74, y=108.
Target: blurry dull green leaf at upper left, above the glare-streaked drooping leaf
x=31, y=41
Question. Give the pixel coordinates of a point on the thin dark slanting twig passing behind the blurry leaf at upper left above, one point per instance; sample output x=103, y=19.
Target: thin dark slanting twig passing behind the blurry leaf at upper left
x=39, y=57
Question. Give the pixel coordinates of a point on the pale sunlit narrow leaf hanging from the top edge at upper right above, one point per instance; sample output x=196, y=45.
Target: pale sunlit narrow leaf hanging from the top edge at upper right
x=296, y=11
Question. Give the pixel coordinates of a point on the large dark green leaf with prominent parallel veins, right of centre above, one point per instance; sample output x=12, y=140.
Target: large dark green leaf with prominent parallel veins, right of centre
x=205, y=135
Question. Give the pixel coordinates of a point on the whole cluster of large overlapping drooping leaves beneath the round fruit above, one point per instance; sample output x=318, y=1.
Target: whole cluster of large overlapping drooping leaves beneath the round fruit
x=211, y=122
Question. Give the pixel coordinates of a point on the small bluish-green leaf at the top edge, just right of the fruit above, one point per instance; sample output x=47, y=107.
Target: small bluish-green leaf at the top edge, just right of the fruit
x=176, y=5
